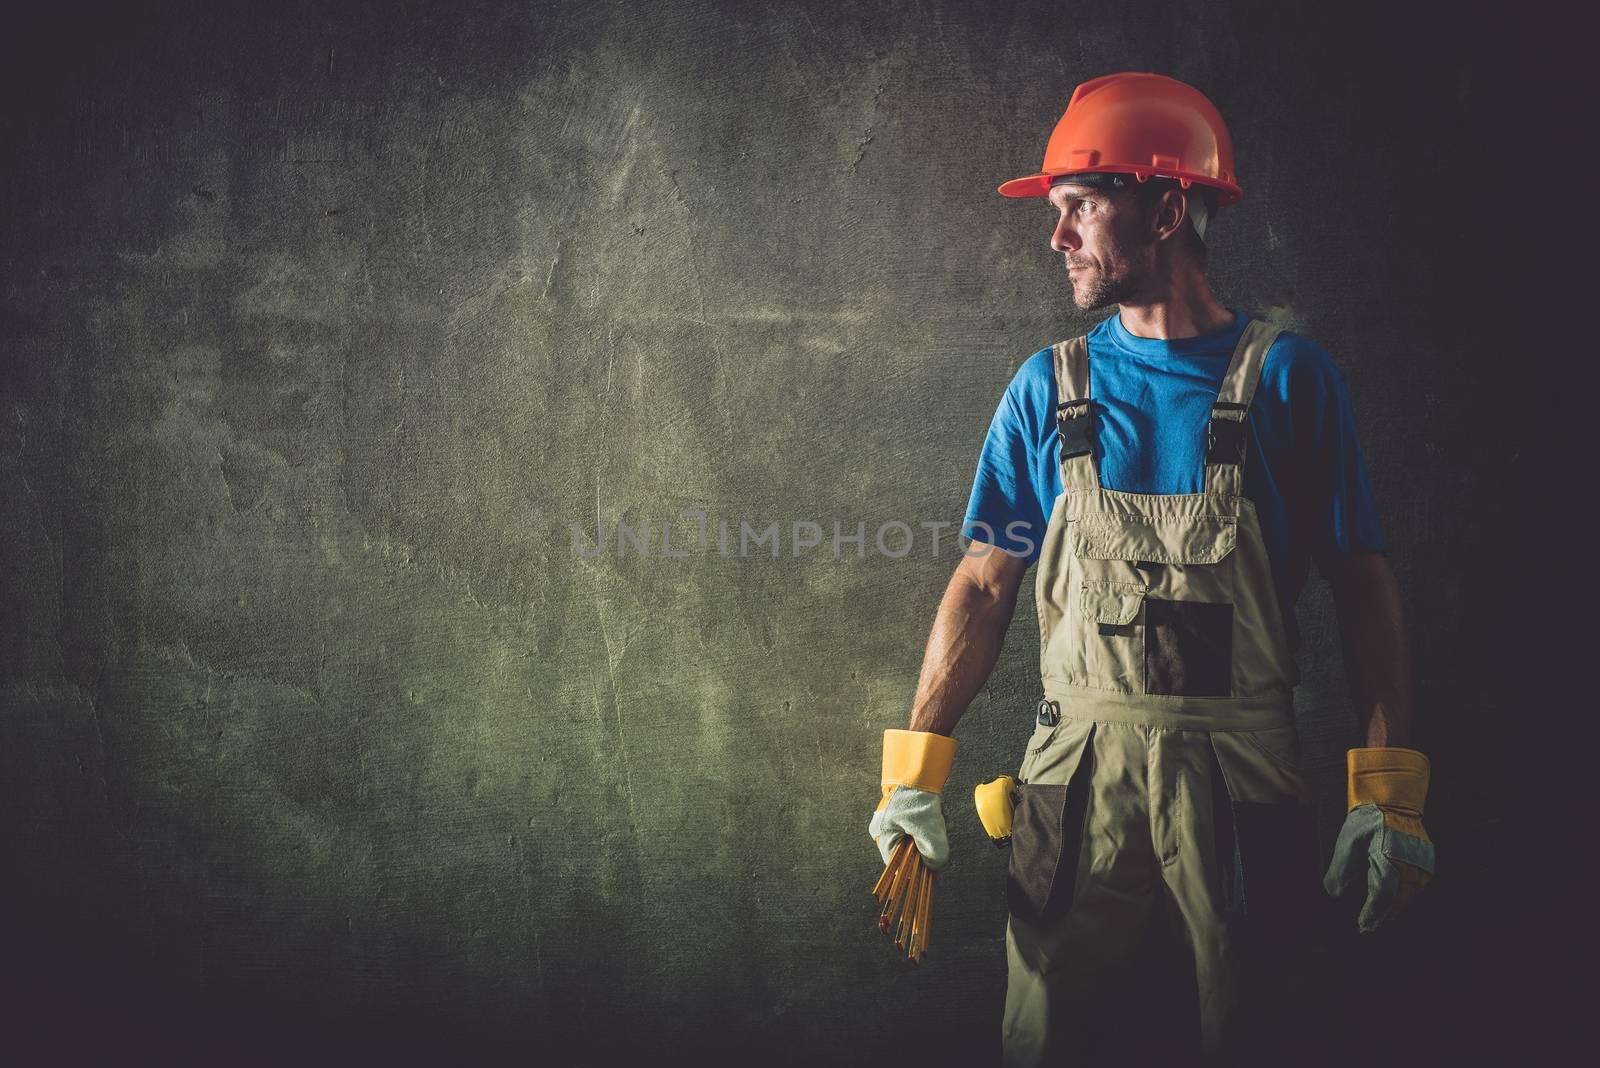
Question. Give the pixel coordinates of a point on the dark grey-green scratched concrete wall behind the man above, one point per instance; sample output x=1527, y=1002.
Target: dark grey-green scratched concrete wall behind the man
x=321, y=329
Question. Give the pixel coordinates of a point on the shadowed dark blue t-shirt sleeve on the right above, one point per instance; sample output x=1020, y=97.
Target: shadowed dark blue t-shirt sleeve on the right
x=1335, y=509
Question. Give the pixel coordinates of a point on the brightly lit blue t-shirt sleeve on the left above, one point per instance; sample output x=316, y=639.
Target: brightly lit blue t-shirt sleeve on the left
x=1006, y=506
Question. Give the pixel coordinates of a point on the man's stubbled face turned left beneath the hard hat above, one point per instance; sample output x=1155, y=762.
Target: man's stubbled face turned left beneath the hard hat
x=1103, y=236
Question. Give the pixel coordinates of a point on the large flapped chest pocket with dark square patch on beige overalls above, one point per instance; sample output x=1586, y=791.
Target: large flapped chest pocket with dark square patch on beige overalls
x=1153, y=605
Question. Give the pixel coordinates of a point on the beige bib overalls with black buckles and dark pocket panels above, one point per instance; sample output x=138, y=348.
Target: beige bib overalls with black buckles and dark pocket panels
x=1166, y=763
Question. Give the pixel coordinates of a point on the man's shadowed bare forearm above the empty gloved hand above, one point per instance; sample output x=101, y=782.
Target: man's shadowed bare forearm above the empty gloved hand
x=1377, y=653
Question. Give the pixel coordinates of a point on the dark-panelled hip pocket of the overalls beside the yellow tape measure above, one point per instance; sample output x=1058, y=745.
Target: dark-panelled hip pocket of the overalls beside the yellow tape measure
x=1047, y=829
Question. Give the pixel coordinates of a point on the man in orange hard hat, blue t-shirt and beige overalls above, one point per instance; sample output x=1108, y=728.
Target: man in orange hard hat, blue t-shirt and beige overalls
x=1174, y=474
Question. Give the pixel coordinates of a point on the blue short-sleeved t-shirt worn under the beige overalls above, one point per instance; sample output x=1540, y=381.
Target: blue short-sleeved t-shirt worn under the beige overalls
x=1153, y=402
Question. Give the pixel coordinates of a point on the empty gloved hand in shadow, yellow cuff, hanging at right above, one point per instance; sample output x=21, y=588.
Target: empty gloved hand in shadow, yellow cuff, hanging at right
x=1383, y=834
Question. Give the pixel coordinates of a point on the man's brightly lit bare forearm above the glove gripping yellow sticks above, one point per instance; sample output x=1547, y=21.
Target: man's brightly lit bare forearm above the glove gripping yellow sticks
x=967, y=636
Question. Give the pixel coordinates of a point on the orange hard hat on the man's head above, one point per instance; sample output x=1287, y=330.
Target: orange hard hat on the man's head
x=1137, y=124
